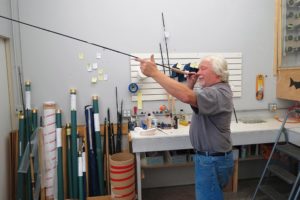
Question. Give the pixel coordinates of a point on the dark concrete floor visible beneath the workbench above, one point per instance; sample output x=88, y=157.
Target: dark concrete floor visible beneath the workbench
x=245, y=191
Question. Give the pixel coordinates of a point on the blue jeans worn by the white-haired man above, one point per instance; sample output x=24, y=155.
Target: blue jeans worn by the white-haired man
x=212, y=175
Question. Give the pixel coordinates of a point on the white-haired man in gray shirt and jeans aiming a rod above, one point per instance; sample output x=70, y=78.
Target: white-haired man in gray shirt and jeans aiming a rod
x=210, y=125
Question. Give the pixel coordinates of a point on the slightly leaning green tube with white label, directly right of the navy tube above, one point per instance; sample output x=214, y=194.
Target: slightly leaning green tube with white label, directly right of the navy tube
x=99, y=151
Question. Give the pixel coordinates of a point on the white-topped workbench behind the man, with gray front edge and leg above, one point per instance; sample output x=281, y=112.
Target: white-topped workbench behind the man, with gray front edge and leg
x=242, y=133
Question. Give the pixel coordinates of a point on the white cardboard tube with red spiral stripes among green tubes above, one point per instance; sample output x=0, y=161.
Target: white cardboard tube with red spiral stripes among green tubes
x=49, y=135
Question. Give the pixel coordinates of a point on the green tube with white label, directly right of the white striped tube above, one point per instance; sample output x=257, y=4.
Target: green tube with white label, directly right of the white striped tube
x=60, y=180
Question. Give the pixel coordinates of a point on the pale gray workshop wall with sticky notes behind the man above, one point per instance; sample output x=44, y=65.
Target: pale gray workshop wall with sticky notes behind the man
x=55, y=64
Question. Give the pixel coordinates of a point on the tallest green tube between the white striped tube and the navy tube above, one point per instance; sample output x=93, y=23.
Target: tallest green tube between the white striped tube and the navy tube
x=74, y=142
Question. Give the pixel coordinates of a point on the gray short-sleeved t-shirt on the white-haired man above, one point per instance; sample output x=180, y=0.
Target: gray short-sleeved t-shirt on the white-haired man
x=210, y=124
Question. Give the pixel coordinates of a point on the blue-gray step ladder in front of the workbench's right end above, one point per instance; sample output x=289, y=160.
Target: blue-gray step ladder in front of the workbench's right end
x=276, y=169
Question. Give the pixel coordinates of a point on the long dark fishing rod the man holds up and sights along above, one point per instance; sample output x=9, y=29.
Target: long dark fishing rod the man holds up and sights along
x=91, y=43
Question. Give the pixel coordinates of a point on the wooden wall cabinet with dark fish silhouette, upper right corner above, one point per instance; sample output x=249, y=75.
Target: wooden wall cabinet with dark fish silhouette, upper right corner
x=287, y=49
